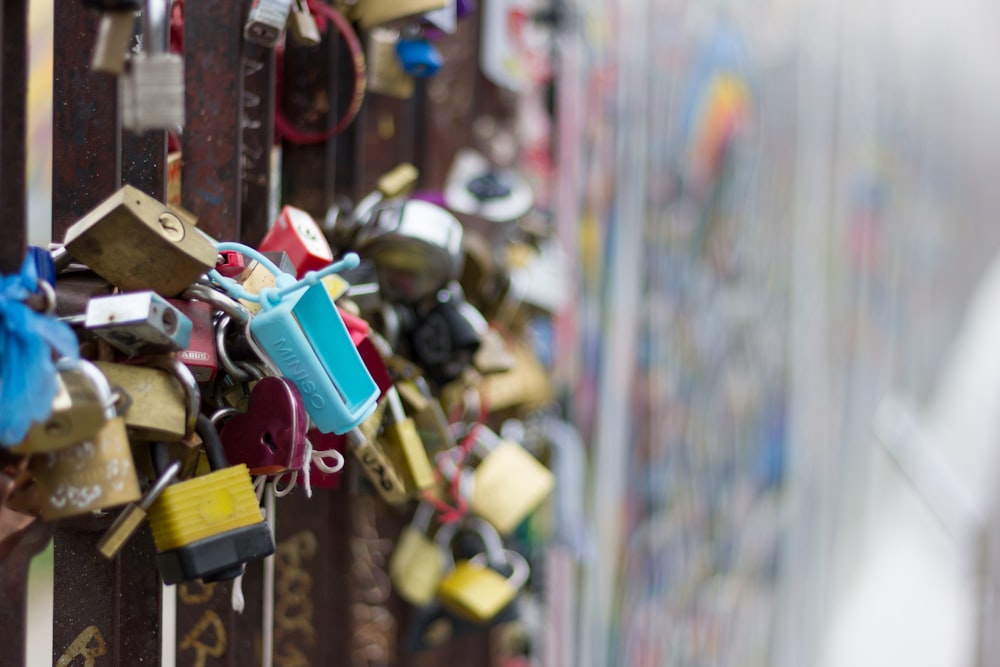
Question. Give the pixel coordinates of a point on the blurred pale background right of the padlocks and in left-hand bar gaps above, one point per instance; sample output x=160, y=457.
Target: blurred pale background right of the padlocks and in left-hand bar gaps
x=779, y=219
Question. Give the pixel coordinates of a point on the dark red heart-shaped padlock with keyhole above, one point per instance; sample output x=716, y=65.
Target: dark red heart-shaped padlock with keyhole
x=270, y=438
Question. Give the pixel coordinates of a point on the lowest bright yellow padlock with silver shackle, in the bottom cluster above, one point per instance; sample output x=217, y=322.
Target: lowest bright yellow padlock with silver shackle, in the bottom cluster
x=474, y=589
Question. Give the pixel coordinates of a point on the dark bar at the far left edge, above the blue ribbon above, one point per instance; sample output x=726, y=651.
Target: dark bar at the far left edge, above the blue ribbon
x=13, y=99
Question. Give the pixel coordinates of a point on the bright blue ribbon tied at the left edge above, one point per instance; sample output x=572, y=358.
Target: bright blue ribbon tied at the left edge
x=27, y=340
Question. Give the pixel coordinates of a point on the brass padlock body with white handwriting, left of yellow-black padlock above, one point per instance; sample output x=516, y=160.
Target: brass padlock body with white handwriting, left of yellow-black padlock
x=96, y=474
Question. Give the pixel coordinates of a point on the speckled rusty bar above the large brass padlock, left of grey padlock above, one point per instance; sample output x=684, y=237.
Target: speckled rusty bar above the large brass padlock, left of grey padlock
x=86, y=140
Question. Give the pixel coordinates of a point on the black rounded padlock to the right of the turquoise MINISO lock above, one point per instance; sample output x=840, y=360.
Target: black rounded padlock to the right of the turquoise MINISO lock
x=447, y=337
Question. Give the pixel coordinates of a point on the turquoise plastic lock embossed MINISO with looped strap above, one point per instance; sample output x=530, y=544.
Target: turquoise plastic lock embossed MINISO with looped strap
x=302, y=333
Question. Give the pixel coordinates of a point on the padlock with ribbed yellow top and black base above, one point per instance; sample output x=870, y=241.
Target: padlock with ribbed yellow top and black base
x=208, y=527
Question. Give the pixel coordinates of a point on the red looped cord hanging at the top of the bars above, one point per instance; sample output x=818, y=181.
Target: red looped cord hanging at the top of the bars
x=284, y=128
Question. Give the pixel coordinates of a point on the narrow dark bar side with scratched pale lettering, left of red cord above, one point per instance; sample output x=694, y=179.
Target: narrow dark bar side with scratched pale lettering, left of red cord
x=258, y=138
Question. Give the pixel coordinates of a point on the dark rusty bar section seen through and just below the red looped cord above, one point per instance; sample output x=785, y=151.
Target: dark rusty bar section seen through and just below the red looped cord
x=310, y=101
